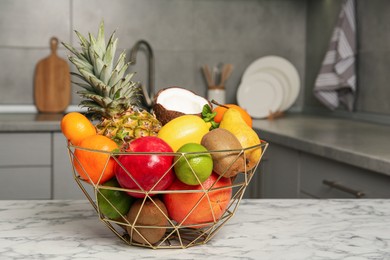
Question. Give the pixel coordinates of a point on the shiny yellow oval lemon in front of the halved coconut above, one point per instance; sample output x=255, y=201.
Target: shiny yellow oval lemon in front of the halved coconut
x=182, y=130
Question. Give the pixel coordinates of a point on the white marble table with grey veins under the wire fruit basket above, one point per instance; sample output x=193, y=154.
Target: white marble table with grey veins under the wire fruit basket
x=261, y=229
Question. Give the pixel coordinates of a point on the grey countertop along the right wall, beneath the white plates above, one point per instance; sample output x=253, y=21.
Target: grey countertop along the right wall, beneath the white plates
x=361, y=144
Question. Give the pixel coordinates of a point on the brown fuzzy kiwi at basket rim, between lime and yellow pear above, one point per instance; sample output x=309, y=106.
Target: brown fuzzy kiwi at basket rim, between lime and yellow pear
x=227, y=164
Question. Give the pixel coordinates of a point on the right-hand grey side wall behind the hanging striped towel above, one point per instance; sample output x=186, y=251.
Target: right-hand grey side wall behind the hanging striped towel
x=373, y=66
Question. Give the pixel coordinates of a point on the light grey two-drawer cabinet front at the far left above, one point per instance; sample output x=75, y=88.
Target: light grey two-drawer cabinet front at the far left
x=25, y=166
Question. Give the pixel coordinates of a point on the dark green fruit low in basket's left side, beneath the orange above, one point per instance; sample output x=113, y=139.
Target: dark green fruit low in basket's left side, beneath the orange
x=120, y=200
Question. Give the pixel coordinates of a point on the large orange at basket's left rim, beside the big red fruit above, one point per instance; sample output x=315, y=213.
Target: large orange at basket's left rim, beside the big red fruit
x=95, y=166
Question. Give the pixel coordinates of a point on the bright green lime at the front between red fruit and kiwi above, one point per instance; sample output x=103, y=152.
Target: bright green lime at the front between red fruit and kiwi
x=194, y=166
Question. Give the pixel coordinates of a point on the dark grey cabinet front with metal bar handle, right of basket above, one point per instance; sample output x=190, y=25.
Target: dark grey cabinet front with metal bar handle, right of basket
x=289, y=173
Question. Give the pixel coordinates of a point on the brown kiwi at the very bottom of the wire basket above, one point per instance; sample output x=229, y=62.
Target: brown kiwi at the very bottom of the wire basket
x=147, y=214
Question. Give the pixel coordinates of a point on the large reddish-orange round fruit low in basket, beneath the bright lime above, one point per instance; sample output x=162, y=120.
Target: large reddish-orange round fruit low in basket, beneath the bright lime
x=194, y=208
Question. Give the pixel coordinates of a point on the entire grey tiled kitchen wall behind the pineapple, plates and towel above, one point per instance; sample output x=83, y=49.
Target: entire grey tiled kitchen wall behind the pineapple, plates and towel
x=186, y=34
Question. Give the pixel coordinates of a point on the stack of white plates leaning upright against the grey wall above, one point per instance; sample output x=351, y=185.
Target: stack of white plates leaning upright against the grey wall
x=270, y=84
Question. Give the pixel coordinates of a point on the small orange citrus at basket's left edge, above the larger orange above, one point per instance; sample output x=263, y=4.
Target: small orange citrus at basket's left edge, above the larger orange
x=76, y=127
